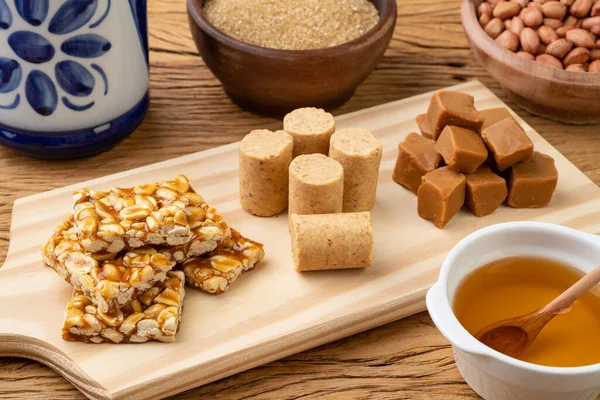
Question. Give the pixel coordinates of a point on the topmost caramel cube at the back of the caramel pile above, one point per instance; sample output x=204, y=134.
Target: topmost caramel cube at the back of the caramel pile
x=453, y=108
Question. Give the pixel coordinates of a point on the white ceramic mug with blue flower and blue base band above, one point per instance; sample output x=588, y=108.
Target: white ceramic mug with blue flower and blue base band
x=73, y=74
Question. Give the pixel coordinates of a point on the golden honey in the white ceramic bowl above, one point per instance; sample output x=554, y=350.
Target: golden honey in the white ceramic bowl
x=515, y=286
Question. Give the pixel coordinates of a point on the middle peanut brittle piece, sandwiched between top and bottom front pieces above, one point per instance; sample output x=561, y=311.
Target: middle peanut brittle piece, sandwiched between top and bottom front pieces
x=109, y=281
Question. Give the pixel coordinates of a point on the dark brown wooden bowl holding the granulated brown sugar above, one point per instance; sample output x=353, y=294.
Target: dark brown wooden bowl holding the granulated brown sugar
x=274, y=82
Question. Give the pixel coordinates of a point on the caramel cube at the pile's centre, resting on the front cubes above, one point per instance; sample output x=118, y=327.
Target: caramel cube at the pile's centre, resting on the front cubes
x=462, y=149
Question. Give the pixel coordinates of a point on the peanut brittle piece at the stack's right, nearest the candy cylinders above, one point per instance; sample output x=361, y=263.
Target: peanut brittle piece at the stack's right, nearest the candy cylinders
x=215, y=272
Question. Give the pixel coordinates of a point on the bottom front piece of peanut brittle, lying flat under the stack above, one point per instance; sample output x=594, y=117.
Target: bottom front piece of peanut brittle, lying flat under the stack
x=155, y=315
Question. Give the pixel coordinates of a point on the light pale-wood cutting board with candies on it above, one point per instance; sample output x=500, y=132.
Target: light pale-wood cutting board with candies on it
x=273, y=311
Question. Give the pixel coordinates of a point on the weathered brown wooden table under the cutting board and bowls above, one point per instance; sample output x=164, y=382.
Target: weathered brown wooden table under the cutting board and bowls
x=407, y=359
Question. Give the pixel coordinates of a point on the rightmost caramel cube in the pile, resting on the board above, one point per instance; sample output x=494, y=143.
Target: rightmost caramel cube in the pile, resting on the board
x=532, y=182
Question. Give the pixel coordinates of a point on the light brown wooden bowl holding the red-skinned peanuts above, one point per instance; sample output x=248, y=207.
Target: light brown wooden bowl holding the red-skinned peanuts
x=564, y=96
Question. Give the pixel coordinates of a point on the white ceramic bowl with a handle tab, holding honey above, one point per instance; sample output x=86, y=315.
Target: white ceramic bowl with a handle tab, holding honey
x=491, y=374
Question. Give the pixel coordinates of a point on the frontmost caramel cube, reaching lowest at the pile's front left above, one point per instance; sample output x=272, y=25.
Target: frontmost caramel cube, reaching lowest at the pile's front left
x=441, y=196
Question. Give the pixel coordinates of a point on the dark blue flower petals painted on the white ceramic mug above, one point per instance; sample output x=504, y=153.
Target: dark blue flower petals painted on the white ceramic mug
x=31, y=46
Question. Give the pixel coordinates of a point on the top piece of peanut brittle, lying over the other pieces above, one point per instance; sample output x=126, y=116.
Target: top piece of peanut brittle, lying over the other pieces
x=163, y=213
